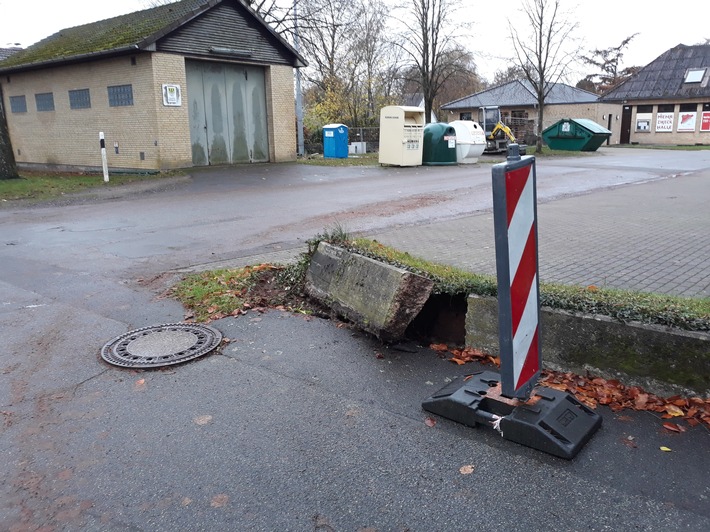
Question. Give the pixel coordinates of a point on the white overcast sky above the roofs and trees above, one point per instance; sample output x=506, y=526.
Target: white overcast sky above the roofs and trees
x=602, y=24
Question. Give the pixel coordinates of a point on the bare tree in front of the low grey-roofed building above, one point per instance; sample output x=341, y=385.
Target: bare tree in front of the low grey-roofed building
x=545, y=52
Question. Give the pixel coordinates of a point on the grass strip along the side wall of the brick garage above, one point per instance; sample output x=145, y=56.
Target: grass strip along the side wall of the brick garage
x=37, y=187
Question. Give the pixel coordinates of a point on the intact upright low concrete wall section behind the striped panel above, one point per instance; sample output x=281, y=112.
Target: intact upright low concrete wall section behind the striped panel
x=660, y=359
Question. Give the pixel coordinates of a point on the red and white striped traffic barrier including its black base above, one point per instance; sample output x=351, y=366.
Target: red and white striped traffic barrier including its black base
x=509, y=401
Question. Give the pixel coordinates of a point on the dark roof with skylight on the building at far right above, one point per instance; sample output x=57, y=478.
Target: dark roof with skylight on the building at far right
x=665, y=77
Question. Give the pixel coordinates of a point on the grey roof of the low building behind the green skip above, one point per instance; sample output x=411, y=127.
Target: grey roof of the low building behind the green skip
x=520, y=93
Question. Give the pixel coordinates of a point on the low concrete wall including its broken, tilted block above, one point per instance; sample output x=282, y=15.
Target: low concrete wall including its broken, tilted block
x=383, y=300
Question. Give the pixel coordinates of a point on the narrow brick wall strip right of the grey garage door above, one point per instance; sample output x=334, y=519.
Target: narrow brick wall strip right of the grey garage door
x=281, y=113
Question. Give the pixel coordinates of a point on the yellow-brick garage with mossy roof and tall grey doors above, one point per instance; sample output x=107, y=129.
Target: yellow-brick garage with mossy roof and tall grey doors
x=192, y=83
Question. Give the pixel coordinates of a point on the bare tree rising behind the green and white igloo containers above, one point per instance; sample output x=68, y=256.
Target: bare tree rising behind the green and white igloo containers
x=429, y=45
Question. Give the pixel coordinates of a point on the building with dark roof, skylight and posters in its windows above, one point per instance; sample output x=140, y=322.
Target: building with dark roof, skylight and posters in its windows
x=668, y=100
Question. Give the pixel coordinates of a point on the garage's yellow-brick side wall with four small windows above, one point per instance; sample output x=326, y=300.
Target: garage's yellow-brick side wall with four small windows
x=71, y=136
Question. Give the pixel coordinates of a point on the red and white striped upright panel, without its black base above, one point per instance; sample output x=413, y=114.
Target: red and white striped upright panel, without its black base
x=515, y=221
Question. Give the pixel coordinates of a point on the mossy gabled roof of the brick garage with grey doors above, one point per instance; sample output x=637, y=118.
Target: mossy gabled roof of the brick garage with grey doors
x=126, y=33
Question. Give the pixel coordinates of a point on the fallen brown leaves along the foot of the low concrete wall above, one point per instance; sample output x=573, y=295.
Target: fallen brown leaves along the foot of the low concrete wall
x=594, y=391
